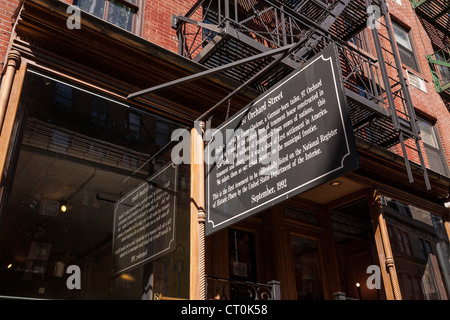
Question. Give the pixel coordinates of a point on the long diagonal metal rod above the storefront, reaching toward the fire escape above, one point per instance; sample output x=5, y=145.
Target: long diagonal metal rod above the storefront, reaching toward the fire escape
x=211, y=71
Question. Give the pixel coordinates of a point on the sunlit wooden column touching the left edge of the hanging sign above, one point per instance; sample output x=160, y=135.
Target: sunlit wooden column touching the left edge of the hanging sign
x=197, y=246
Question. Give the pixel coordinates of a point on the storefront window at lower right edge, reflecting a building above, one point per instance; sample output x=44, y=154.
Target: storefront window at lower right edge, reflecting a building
x=421, y=250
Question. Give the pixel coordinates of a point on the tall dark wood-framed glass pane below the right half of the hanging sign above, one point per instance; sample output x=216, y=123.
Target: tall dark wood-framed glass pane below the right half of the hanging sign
x=308, y=276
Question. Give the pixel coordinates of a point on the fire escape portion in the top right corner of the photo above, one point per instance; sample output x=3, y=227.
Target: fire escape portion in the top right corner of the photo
x=435, y=17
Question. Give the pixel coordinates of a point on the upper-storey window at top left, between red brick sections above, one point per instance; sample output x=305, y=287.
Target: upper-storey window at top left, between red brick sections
x=121, y=13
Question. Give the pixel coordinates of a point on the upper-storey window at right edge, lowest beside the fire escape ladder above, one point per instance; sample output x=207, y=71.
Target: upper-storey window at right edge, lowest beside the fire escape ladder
x=431, y=143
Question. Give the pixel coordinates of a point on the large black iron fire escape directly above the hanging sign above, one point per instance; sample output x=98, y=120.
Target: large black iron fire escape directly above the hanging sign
x=259, y=42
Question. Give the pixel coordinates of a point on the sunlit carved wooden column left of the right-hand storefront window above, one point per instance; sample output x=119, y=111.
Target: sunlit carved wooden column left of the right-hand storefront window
x=385, y=255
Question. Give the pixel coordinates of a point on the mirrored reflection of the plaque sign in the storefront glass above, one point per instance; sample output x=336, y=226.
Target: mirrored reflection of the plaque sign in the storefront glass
x=144, y=221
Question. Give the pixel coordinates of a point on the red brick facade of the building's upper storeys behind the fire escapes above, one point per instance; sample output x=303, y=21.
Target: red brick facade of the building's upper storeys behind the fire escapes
x=156, y=27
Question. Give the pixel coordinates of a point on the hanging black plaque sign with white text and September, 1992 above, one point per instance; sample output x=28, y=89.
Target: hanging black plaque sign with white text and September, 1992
x=315, y=144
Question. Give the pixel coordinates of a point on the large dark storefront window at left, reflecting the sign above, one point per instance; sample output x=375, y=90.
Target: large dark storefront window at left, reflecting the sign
x=90, y=186
